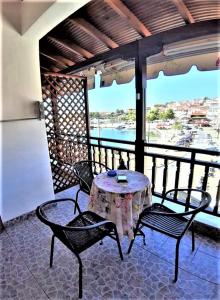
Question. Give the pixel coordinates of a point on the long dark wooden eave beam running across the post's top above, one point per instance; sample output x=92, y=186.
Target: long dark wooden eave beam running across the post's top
x=150, y=45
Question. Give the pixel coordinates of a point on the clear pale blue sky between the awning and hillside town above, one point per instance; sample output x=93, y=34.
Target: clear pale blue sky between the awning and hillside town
x=193, y=85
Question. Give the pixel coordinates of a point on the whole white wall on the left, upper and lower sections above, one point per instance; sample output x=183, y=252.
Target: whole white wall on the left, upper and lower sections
x=25, y=169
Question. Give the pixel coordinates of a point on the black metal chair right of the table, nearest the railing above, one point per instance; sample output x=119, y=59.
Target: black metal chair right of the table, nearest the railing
x=162, y=219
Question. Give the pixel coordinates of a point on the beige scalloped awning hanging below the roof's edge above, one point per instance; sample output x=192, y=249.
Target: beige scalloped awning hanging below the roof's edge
x=177, y=58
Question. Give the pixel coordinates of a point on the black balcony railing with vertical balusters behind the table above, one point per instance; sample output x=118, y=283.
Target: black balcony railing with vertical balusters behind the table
x=166, y=166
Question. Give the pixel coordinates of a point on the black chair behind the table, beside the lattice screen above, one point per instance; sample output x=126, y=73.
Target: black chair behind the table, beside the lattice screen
x=85, y=171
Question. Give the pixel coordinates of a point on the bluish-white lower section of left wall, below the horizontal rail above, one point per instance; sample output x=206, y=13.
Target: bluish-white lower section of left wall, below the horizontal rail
x=26, y=173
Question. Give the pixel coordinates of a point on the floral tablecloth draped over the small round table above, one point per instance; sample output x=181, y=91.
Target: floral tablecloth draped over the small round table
x=120, y=203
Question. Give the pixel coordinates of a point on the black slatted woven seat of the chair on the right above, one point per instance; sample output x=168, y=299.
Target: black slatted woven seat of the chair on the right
x=172, y=225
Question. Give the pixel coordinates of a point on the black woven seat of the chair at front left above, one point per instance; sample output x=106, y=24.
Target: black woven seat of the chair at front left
x=83, y=239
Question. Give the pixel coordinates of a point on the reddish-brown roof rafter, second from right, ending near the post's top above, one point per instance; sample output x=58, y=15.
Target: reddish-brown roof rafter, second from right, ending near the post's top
x=127, y=14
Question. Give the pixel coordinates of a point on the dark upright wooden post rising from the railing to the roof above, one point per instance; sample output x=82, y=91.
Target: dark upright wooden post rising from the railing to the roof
x=140, y=78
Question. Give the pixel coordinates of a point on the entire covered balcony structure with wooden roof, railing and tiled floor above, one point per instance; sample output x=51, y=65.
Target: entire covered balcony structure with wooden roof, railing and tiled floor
x=84, y=46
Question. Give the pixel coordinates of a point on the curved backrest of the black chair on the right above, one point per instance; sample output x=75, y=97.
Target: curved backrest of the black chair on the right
x=193, y=200
